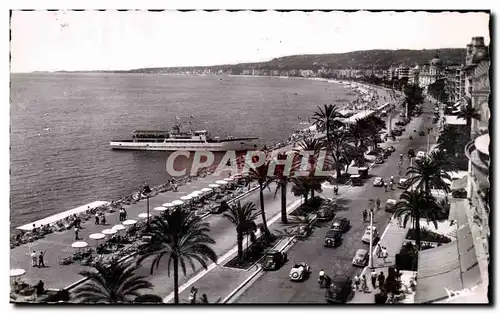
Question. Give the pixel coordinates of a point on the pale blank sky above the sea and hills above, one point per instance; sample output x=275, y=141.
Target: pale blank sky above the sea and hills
x=112, y=40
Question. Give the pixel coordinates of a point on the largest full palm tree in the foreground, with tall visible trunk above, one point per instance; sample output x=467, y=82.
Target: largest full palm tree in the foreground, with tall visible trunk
x=183, y=238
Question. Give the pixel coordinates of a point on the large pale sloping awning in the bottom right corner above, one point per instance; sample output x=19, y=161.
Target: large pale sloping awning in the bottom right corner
x=452, y=266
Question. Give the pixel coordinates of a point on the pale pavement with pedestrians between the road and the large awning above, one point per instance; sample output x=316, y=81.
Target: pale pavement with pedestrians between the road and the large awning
x=393, y=240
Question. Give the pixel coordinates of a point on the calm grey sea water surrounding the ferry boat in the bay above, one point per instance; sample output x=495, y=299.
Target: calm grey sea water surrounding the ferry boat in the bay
x=71, y=164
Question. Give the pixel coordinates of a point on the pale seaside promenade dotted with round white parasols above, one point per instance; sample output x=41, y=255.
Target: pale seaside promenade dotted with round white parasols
x=58, y=245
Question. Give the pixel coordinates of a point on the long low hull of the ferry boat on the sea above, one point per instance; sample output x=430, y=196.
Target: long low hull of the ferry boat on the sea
x=220, y=146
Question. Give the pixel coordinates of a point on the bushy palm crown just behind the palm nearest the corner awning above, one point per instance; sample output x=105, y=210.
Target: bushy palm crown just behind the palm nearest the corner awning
x=428, y=173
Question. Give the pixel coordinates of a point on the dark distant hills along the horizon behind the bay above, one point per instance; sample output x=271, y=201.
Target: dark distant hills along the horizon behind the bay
x=368, y=59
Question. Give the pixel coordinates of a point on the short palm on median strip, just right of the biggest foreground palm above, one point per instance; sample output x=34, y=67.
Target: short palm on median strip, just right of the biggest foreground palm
x=243, y=217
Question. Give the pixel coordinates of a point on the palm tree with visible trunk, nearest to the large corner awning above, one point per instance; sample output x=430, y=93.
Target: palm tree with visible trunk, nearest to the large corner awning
x=417, y=205
